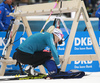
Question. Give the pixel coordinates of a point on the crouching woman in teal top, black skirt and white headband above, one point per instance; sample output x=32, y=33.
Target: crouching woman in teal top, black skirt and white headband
x=31, y=50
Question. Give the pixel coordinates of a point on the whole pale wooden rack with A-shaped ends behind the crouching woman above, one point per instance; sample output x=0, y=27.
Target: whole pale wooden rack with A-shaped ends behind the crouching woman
x=42, y=9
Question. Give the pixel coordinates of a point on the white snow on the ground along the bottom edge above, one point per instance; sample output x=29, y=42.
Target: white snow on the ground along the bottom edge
x=91, y=77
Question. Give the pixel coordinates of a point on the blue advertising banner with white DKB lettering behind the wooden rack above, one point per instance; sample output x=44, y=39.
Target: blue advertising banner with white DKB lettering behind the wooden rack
x=82, y=45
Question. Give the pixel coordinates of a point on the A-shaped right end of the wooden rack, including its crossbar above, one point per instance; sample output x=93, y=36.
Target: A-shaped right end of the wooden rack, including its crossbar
x=67, y=57
